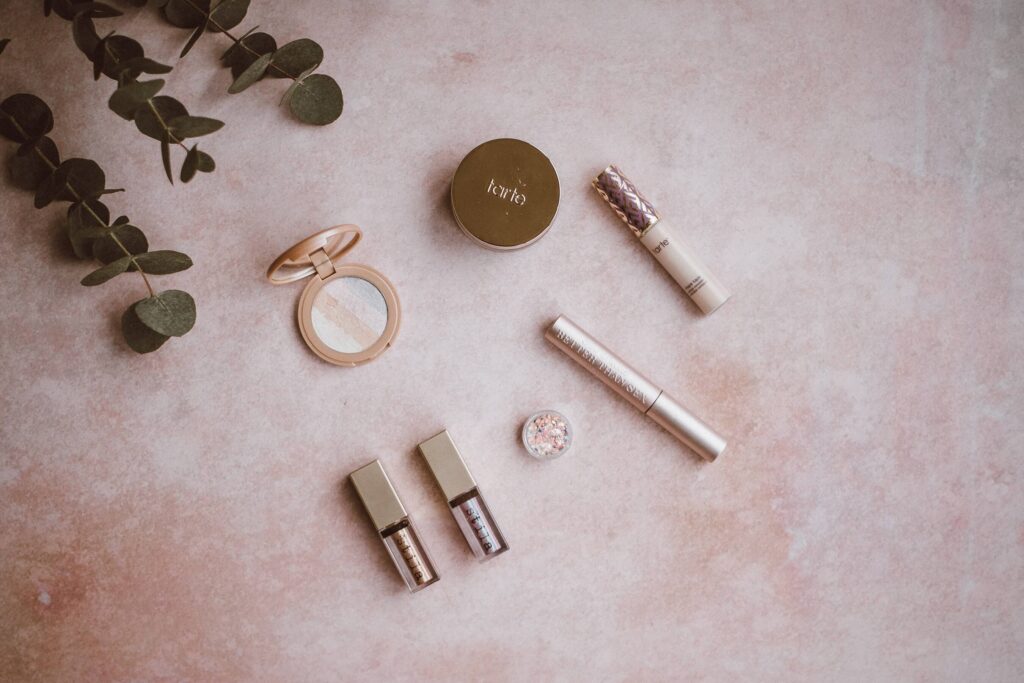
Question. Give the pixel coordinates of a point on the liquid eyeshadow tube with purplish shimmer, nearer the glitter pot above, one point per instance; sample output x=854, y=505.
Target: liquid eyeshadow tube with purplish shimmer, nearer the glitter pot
x=464, y=497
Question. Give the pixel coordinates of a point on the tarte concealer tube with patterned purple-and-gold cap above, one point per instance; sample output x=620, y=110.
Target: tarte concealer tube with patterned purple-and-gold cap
x=671, y=251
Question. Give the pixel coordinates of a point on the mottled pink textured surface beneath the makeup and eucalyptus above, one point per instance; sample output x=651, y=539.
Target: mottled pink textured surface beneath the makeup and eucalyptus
x=854, y=172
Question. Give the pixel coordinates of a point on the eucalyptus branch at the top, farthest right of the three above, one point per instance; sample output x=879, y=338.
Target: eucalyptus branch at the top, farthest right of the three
x=314, y=99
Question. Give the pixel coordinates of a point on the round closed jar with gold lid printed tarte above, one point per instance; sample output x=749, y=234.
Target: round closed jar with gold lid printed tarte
x=505, y=194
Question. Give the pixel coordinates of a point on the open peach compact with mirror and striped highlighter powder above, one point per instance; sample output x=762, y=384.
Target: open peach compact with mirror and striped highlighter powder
x=349, y=314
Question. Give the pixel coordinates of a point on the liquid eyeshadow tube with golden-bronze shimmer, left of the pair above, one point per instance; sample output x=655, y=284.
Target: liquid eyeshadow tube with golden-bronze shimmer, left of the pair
x=395, y=526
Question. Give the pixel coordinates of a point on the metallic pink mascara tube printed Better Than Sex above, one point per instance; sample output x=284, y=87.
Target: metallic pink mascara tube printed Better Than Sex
x=634, y=388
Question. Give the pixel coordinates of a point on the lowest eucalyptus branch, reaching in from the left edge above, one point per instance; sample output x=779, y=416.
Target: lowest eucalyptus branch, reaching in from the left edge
x=119, y=246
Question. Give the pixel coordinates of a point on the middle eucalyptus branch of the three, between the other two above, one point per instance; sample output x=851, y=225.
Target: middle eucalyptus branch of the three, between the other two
x=123, y=60
